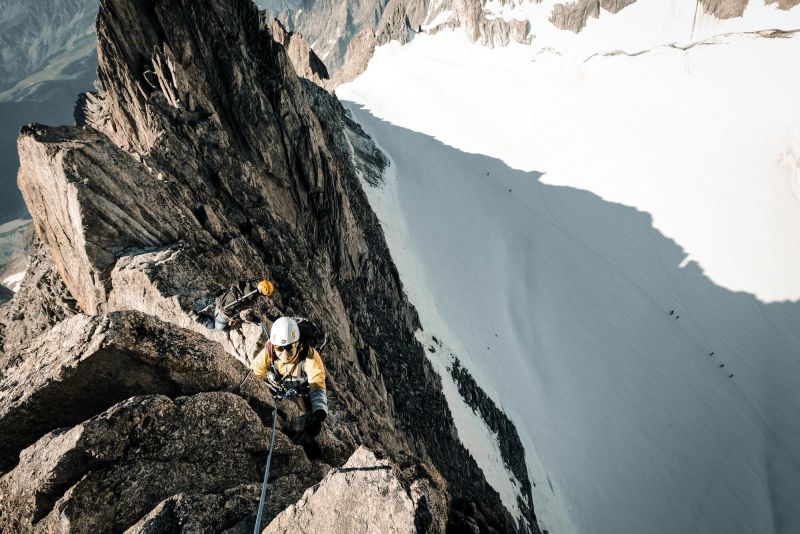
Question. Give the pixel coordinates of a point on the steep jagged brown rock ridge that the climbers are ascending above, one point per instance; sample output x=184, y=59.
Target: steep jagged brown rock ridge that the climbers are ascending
x=203, y=159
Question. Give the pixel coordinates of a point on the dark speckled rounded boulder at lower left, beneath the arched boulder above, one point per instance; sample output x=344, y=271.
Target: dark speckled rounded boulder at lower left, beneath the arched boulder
x=102, y=475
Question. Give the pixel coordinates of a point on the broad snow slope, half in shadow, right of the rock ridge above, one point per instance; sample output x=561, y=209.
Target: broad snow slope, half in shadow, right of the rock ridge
x=547, y=214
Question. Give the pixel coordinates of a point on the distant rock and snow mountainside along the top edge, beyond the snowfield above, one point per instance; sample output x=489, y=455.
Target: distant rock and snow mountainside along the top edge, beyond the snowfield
x=330, y=26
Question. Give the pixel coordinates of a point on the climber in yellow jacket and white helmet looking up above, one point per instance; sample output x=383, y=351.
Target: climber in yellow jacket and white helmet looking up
x=285, y=363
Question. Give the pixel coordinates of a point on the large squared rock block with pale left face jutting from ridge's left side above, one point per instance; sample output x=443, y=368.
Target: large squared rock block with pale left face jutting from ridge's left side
x=88, y=223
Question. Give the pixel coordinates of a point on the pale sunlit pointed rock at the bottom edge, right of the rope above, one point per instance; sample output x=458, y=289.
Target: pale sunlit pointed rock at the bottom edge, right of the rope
x=337, y=504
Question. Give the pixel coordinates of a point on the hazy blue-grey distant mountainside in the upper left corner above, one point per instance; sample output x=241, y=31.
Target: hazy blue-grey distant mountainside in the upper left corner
x=47, y=56
